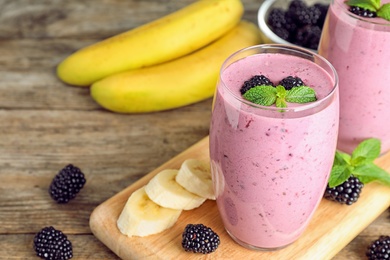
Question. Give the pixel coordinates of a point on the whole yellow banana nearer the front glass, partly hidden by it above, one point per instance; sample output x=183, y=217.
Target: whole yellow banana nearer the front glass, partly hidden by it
x=173, y=84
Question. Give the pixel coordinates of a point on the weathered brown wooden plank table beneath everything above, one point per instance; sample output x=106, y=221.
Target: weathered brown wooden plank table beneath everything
x=45, y=124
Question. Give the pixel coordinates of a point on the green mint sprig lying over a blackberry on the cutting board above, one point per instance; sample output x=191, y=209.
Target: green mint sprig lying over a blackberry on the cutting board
x=360, y=164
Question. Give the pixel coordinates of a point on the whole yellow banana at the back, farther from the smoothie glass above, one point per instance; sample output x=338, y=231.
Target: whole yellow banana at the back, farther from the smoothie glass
x=164, y=39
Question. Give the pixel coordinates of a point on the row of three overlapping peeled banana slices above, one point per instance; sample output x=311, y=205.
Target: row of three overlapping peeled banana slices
x=157, y=205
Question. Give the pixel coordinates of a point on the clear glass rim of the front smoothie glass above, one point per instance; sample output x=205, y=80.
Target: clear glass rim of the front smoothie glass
x=286, y=47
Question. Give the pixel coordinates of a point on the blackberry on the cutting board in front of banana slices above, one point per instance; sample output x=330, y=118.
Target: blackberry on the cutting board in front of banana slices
x=198, y=238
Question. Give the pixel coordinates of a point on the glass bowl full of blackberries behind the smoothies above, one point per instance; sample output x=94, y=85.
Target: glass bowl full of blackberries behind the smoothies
x=294, y=22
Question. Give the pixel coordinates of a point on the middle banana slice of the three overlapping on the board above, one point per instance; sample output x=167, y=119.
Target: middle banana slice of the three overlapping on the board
x=166, y=192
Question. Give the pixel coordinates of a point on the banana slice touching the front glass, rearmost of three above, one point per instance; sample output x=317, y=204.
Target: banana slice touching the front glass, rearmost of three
x=195, y=176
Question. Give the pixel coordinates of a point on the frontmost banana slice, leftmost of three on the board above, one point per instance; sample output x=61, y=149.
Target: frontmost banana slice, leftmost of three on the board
x=142, y=217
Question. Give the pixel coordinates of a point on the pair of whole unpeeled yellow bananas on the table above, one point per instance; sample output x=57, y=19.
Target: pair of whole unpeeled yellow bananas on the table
x=165, y=64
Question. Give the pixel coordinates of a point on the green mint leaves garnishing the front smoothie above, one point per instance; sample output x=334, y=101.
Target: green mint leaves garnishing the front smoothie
x=269, y=95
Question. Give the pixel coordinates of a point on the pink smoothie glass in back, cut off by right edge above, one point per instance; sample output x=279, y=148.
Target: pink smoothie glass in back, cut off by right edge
x=359, y=49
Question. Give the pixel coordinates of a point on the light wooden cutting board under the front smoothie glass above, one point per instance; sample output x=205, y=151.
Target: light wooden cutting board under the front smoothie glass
x=332, y=227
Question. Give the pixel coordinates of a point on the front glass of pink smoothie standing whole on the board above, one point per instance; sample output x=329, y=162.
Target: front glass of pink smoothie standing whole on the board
x=270, y=165
